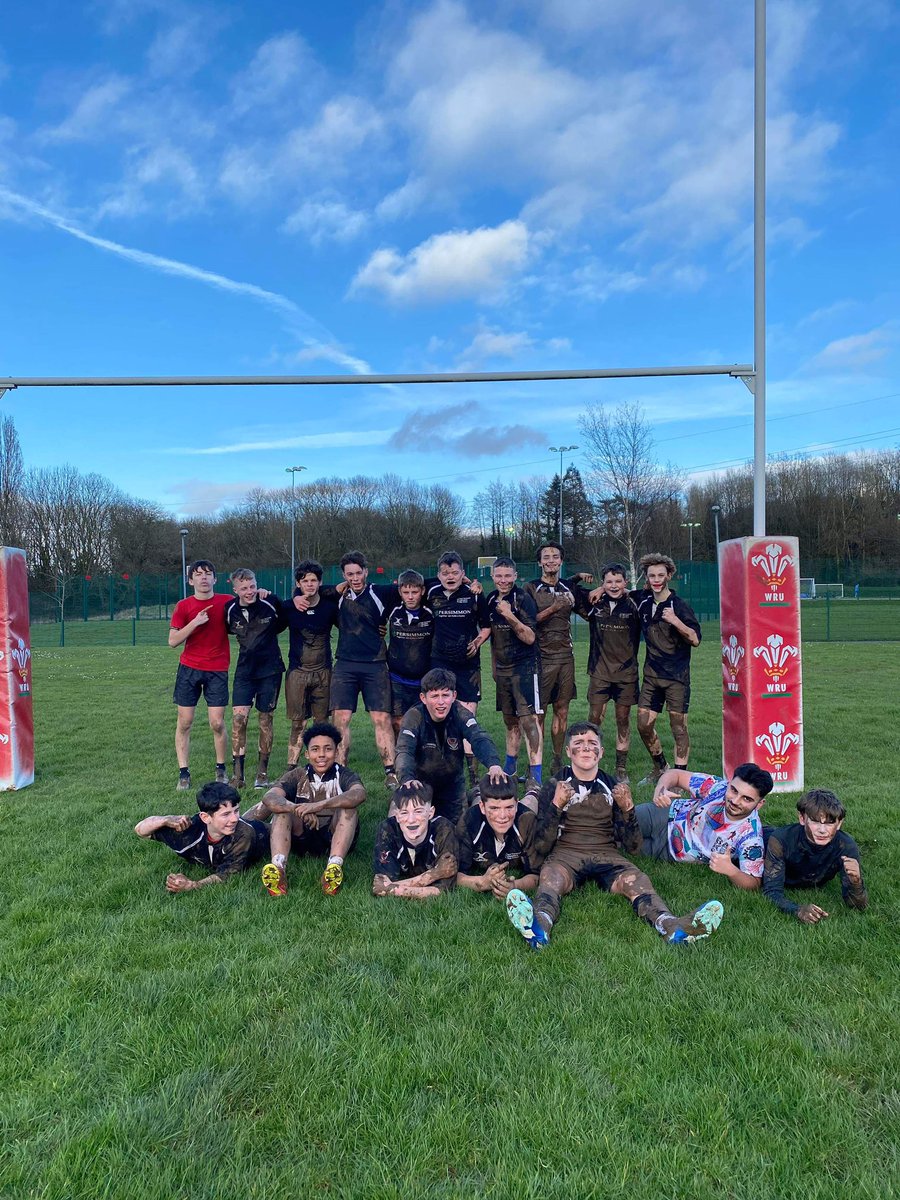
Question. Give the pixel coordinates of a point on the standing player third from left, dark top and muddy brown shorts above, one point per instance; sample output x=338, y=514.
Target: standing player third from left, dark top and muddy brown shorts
x=309, y=680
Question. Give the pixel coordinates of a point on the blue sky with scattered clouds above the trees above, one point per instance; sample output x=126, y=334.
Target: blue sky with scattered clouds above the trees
x=197, y=189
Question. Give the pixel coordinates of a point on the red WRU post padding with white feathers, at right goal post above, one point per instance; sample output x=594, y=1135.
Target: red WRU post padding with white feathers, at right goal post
x=763, y=698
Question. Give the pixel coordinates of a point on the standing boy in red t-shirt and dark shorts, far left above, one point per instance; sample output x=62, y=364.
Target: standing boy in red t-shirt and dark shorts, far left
x=199, y=627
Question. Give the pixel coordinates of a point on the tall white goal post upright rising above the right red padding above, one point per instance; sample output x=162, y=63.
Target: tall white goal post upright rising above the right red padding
x=759, y=380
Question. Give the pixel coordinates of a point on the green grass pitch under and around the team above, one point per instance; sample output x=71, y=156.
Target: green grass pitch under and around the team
x=221, y=1045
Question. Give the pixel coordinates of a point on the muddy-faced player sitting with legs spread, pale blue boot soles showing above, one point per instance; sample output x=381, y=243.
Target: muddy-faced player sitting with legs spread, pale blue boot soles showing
x=585, y=820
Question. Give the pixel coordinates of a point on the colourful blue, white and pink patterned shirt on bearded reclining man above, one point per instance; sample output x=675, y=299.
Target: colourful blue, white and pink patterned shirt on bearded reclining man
x=699, y=829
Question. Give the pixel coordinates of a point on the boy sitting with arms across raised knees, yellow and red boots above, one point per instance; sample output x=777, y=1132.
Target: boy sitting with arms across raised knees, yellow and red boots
x=315, y=811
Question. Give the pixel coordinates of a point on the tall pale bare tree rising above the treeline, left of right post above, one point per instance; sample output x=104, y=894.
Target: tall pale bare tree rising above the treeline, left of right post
x=625, y=471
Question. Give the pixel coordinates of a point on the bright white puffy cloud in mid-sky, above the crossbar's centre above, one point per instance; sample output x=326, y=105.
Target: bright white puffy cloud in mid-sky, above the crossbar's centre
x=477, y=263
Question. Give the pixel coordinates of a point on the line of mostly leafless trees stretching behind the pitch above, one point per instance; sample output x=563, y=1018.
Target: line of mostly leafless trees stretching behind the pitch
x=845, y=511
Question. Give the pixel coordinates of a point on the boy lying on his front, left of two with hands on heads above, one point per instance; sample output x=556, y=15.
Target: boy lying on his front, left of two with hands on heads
x=416, y=854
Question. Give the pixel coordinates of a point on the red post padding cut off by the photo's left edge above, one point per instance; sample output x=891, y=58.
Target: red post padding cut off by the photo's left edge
x=17, y=723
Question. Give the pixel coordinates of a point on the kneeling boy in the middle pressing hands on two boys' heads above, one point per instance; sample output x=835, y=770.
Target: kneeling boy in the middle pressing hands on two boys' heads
x=431, y=741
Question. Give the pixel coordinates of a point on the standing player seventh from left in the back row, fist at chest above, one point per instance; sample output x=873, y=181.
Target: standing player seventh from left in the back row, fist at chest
x=517, y=663
